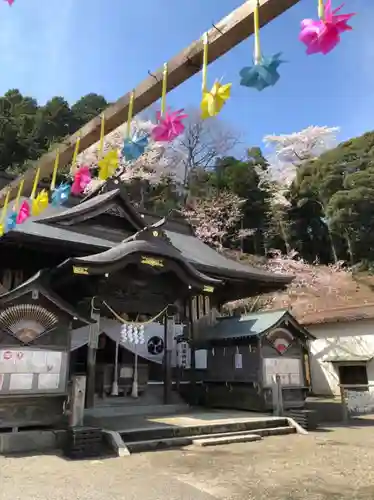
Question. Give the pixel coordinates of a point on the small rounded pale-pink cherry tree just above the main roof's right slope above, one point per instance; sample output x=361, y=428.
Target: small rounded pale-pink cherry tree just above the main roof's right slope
x=215, y=218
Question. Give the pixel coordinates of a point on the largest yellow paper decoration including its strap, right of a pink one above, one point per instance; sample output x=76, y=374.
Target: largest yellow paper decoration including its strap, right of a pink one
x=212, y=101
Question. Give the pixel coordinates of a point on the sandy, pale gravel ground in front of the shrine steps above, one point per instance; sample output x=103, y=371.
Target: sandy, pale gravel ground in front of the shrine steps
x=327, y=465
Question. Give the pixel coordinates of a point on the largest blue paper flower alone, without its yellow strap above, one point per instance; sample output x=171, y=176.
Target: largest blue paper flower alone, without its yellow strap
x=262, y=74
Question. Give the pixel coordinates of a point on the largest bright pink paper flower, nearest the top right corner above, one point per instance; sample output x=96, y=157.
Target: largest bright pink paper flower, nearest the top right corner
x=323, y=36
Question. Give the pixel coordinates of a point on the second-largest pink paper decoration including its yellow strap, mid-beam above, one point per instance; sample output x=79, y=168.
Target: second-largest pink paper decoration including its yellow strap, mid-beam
x=169, y=124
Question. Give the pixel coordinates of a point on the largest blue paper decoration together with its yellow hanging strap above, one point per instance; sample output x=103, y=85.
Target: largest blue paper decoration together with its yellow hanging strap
x=264, y=72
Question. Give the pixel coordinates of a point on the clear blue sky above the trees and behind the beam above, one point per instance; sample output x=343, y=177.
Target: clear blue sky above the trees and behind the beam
x=72, y=47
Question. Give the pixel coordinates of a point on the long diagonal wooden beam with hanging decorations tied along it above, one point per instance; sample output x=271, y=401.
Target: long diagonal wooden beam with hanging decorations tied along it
x=225, y=35
